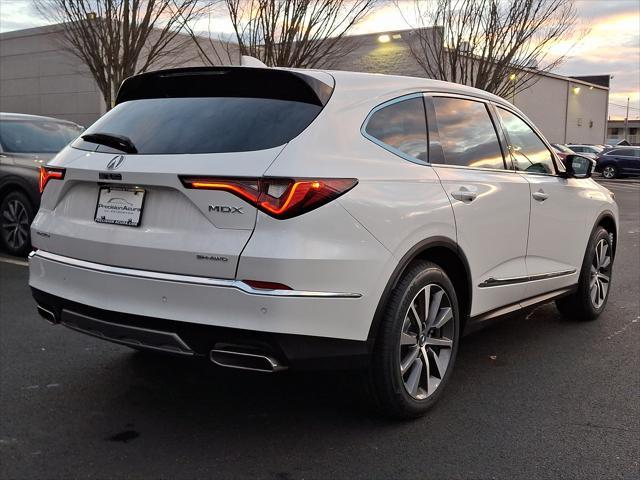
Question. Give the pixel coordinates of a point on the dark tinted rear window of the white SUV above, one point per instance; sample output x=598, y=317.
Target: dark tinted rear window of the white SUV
x=204, y=124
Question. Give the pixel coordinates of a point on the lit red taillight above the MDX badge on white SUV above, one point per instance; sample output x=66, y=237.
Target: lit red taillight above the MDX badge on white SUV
x=279, y=197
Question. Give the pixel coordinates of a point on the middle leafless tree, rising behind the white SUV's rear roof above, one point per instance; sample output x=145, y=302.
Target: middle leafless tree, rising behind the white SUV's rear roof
x=290, y=33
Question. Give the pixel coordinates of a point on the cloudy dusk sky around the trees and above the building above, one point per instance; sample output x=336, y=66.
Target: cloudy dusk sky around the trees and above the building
x=612, y=45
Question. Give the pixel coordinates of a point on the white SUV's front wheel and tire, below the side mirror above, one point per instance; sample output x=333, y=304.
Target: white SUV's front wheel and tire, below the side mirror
x=590, y=299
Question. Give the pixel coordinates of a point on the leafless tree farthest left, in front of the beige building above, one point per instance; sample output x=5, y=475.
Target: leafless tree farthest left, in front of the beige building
x=119, y=38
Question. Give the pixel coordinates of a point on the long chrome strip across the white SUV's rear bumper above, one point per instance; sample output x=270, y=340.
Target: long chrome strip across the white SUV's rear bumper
x=171, y=277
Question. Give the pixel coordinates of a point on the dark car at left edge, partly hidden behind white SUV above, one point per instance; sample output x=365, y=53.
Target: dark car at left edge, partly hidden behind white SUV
x=26, y=143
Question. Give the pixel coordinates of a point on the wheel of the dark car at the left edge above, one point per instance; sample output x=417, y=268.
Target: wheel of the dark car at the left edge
x=16, y=215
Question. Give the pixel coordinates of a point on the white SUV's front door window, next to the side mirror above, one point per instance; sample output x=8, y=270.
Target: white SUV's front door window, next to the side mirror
x=529, y=153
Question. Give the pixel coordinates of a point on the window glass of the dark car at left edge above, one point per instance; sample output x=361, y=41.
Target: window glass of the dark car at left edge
x=26, y=136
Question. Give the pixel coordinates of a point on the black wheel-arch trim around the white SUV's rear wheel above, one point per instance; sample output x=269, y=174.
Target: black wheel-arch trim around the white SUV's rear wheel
x=445, y=253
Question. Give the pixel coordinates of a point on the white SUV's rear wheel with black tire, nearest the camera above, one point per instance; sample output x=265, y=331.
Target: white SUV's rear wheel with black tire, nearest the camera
x=417, y=342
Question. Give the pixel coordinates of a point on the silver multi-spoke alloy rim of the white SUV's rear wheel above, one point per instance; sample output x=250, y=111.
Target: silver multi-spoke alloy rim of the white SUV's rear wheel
x=426, y=341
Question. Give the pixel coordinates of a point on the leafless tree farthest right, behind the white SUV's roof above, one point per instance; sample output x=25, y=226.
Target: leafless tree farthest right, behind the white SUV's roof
x=496, y=45
